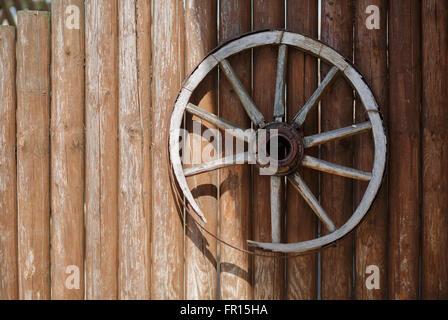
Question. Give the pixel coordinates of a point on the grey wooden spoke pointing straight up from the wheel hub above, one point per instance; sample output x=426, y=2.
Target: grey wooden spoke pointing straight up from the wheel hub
x=279, y=104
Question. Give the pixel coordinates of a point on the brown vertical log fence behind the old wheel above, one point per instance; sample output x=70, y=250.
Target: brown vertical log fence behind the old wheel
x=86, y=207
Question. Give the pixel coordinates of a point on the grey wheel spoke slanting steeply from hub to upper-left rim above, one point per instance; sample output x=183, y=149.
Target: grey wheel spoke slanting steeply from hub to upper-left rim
x=247, y=102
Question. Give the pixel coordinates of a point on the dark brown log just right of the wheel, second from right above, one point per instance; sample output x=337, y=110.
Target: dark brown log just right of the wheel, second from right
x=404, y=142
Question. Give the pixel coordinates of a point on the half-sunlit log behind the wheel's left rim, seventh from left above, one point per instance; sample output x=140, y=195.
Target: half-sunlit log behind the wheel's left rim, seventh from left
x=200, y=258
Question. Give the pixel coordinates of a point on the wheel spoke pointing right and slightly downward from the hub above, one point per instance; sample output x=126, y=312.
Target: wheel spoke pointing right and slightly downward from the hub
x=328, y=167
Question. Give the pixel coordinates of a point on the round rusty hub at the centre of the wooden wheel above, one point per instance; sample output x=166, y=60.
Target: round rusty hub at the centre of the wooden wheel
x=280, y=148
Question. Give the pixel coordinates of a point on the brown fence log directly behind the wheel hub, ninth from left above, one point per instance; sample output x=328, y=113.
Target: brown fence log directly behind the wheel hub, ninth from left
x=268, y=273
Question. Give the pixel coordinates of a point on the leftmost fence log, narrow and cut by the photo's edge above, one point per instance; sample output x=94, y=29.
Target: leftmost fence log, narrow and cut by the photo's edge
x=8, y=207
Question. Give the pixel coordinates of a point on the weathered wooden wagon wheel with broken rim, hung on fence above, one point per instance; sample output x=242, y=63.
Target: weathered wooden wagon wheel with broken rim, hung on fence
x=290, y=133
